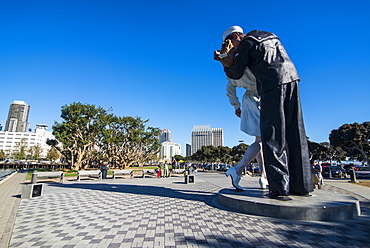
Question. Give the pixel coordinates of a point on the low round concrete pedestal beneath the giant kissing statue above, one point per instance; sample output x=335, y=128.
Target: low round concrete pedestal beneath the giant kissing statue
x=321, y=206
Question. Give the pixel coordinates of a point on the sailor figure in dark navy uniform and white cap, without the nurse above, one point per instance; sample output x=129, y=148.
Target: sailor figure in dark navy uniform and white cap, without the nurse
x=284, y=141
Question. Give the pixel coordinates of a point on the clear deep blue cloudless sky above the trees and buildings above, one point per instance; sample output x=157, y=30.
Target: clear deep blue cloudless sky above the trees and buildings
x=154, y=59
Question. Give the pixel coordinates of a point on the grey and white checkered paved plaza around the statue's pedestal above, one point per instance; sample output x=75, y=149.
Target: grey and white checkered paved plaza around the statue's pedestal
x=165, y=212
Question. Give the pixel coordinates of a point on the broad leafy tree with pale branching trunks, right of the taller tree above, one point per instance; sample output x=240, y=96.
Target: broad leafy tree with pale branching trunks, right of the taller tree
x=127, y=140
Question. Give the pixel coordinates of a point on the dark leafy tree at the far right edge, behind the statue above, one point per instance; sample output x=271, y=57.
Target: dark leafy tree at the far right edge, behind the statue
x=354, y=138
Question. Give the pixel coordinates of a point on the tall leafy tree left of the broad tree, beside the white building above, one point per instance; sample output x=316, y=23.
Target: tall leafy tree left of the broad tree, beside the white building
x=78, y=132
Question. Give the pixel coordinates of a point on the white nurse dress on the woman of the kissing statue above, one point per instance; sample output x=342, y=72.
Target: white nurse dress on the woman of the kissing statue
x=251, y=104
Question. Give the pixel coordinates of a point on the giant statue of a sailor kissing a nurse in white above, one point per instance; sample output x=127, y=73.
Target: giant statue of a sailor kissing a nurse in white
x=270, y=111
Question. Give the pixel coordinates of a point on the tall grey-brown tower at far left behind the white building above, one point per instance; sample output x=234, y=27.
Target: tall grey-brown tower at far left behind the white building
x=18, y=117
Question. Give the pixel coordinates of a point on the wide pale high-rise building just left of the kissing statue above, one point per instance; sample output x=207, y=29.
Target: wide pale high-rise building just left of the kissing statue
x=204, y=135
